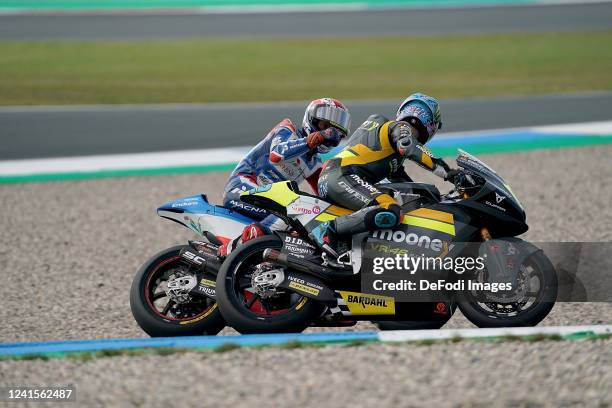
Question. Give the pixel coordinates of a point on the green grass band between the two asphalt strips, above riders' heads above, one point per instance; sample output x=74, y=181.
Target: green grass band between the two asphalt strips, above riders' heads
x=299, y=69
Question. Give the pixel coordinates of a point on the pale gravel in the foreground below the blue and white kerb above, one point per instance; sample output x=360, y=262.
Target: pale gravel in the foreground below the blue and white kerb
x=465, y=374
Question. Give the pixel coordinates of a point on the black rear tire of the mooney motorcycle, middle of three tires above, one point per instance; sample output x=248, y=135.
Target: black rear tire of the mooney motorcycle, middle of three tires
x=294, y=319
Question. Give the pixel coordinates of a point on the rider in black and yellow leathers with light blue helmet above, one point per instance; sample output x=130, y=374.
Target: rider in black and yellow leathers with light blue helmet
x=374, y=152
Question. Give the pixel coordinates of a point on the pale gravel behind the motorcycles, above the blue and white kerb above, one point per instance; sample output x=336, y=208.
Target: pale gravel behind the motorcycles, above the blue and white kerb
x=69, y=250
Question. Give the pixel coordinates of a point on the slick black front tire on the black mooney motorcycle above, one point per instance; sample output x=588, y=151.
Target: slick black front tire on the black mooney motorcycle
x=493, y=314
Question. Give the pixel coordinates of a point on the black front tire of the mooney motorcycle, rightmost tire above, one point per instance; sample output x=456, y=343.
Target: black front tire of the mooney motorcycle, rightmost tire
x=531, y=316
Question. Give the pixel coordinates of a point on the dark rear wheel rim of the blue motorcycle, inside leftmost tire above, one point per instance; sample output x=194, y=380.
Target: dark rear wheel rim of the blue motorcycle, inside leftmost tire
x=162, y=305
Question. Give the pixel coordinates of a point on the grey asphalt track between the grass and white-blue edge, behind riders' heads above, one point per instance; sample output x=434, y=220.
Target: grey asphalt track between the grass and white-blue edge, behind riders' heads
x=70, y=131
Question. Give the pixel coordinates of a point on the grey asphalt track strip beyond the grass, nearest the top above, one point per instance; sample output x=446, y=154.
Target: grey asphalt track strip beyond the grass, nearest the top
x=511, y=19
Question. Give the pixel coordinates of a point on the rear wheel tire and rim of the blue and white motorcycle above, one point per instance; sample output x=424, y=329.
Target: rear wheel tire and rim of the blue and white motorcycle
x=157, y=314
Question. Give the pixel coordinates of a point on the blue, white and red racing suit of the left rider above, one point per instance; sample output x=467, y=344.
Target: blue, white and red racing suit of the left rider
x=282, y=155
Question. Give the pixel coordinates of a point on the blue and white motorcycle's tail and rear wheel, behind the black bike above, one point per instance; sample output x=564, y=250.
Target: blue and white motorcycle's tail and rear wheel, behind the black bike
x=173, y=293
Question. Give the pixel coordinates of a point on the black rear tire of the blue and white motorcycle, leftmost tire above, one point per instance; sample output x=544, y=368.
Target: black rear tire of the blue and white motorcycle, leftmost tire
x=208, y=322
